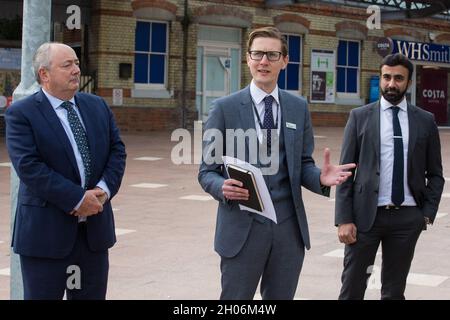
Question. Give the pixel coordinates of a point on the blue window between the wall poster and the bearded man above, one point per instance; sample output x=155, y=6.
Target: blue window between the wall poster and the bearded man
x=348, y=67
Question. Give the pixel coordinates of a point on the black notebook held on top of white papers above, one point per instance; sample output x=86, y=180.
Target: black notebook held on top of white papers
x=248, y=179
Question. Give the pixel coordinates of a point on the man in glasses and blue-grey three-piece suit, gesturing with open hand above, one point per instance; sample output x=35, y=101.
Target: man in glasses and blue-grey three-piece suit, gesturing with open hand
x=252, y=247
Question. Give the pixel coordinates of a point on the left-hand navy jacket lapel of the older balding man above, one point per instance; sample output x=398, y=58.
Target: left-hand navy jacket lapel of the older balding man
x=50, y=115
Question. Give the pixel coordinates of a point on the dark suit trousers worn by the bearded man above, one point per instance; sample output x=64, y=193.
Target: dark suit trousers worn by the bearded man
x=398, y=231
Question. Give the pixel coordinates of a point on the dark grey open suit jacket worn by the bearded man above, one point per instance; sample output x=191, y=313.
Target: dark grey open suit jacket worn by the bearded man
x=356, y=199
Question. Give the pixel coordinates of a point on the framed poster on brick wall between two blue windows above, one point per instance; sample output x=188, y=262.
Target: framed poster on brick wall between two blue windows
x=323, y=76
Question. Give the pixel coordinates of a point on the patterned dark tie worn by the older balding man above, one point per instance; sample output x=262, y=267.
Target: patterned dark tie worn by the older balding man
x=80, y=138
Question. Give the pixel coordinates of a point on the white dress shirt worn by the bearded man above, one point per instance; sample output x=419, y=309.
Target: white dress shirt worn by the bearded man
x=387, y=152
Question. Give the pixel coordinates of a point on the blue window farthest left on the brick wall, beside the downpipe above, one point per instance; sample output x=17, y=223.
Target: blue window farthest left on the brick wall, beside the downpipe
x=150, y=57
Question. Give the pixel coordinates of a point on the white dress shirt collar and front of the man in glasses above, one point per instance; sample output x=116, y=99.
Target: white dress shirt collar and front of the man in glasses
x=258, y=96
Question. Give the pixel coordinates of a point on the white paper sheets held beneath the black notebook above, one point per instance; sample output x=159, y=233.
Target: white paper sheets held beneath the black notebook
x=269, y=210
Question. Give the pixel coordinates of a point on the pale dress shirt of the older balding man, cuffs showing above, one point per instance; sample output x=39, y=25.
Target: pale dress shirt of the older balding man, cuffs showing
x=62, y=115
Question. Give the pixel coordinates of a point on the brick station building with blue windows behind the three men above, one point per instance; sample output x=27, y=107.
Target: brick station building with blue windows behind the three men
x=160, y=63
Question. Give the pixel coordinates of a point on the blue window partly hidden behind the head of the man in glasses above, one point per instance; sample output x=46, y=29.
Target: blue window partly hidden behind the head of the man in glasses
x=289, y=78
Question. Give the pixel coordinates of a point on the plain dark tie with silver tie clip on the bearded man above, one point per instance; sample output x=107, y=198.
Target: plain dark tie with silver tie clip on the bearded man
x=398, y=195
